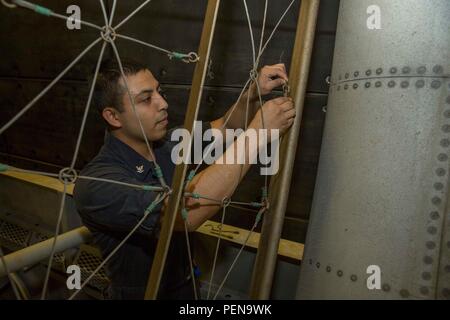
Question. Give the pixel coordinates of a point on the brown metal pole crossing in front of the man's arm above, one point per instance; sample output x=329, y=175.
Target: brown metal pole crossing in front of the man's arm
x=180, y=171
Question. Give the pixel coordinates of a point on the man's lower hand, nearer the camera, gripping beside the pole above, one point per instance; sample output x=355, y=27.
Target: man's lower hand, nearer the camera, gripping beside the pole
x=278, y=113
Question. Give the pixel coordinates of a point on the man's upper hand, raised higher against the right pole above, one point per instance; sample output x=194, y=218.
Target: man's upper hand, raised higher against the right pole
x=269, y=78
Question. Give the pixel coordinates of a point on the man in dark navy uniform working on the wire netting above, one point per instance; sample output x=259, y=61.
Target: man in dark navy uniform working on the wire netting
x=110, y=211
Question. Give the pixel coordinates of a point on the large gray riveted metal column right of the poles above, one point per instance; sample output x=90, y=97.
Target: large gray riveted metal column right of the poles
x=382, y=185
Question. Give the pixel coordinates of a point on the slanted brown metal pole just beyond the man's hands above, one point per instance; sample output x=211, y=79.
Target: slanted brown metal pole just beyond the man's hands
x=266, y=258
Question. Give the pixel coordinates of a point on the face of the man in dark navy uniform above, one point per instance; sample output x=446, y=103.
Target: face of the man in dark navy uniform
x=150, y=107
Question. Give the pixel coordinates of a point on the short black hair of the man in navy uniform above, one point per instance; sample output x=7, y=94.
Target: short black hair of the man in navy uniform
x=108, y=92
